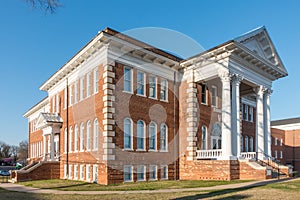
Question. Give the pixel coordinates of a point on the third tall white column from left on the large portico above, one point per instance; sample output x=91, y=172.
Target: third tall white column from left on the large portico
x=260, y=122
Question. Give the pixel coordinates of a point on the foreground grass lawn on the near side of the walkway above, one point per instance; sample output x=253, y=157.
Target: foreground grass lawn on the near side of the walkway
x=287, y=190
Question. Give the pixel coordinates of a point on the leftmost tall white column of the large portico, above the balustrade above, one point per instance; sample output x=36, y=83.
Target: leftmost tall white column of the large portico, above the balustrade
x=226, y=117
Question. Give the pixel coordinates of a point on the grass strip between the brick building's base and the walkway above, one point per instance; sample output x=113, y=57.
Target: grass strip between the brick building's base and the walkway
x=70, y=185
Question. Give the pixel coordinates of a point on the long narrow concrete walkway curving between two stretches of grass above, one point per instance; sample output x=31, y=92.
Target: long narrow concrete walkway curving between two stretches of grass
x=21, y=188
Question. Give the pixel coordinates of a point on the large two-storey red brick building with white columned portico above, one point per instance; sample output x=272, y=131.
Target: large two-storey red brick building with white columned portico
x=121, y=110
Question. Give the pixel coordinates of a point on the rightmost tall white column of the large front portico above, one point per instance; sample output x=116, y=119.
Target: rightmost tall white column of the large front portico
x=267, y=127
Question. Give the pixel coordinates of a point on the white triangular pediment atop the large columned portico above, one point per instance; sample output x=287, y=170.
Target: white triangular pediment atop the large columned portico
x=259, y=42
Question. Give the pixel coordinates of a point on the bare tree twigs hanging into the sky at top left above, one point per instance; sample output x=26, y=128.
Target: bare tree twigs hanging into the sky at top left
x=47, y=5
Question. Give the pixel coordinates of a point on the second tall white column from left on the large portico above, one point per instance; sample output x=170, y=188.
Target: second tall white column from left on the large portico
x=235, y=115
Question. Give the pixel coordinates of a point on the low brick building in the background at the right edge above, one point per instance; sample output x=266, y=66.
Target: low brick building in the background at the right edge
x=286, y=141
